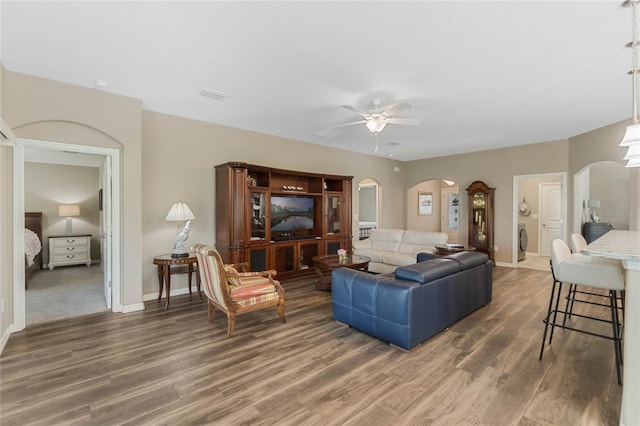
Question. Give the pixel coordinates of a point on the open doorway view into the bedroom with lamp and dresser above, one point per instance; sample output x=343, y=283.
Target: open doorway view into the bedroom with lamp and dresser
x=70, y=282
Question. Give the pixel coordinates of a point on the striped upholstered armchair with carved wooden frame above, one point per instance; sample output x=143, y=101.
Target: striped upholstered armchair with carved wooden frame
x=236, y=292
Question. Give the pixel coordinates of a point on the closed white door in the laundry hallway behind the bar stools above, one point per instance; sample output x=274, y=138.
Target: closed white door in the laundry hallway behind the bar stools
x=550, y=216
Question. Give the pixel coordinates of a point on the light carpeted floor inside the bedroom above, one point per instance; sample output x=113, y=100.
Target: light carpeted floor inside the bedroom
x=65, y=292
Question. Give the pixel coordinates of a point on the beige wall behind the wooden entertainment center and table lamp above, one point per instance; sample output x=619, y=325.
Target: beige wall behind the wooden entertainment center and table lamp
x=178, y=159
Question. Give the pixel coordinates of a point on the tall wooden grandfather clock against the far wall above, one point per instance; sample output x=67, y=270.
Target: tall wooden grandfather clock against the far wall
x=481, y=211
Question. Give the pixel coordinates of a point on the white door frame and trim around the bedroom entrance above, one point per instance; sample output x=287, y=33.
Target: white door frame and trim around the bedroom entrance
x=108, y=234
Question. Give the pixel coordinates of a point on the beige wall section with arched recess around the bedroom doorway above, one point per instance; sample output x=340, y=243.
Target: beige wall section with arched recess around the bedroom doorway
x=37, y=108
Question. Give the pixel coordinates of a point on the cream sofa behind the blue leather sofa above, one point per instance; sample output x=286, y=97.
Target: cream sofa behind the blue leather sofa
x=390, y=248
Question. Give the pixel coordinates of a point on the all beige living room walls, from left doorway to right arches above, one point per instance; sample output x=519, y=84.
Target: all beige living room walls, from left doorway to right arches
x=167, y=158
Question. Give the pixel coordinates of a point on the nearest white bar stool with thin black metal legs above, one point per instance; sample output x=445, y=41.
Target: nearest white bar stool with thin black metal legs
x=565, y=269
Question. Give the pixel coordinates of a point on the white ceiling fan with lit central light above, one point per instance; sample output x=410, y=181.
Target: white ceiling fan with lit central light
x=375, y=120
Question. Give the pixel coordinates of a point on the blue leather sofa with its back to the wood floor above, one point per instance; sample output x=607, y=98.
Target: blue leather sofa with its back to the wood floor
x=409, y=306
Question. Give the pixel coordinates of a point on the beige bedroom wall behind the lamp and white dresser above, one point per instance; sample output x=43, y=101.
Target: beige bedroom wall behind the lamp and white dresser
x=48, y=185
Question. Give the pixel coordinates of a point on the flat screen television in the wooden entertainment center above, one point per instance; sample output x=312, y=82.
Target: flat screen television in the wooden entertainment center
x=291, y=213
